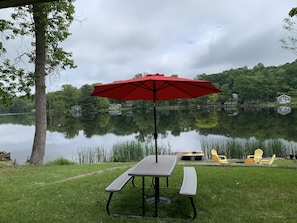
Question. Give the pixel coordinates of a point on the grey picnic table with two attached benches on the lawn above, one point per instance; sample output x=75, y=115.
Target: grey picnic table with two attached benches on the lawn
x=148, y=167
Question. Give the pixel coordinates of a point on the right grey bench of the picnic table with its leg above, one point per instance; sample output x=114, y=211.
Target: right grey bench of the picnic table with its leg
x=189, y=186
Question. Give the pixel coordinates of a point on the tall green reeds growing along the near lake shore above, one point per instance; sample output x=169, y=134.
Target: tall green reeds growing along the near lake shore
x=134, y=150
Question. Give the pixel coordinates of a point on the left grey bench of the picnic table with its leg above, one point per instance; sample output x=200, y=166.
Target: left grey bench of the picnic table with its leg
x=116, y=186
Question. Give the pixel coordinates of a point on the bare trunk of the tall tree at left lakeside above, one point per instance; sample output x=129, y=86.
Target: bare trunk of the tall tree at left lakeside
x=38, y=149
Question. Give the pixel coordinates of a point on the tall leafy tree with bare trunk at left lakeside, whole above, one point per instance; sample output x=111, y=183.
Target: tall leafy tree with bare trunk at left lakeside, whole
x=48, y=24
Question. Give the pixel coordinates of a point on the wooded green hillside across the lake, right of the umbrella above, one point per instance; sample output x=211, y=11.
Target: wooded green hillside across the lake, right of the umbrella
x=260, y=82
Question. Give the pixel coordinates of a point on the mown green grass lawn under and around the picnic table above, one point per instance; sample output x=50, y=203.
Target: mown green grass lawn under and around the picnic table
x=75, y=193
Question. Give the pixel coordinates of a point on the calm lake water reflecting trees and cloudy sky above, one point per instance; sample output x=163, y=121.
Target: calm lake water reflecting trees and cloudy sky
x=179, y=130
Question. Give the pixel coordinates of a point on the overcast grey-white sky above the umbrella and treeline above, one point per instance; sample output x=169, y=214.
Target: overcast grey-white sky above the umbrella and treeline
x=116, y=39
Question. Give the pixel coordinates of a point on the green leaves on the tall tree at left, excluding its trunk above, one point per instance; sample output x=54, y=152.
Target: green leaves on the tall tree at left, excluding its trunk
x=16, y=74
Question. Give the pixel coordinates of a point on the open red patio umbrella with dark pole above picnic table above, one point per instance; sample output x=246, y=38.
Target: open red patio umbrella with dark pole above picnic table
x=155, y=87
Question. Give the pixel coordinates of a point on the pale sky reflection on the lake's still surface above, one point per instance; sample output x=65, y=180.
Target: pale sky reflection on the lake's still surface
x=18, y=140
